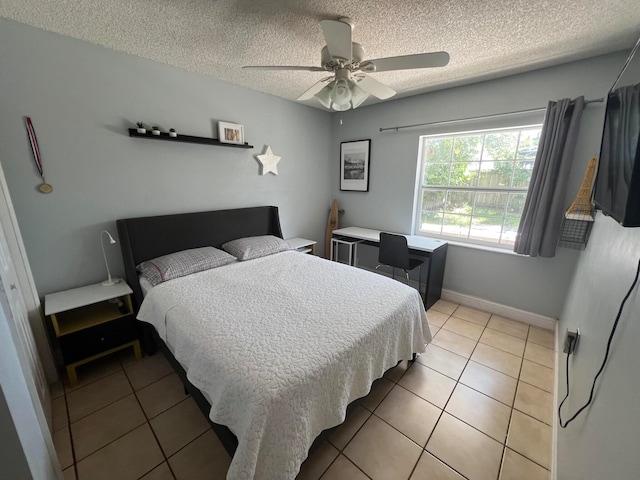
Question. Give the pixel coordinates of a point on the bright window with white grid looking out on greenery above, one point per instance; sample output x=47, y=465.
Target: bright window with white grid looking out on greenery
x=473, y=185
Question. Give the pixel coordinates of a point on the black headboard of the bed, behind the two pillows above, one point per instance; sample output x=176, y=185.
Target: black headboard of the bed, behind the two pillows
x=145, y=238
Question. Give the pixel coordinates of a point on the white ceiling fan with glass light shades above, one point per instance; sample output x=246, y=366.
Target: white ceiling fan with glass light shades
x=349, y=85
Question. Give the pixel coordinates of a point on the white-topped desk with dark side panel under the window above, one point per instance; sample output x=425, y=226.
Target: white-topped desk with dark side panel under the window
x=434, y=250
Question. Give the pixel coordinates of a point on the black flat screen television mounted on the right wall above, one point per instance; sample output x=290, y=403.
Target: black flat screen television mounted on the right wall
x=617, y=186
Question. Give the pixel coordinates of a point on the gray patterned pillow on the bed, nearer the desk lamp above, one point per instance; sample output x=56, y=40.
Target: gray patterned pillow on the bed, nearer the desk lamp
x=183, y=263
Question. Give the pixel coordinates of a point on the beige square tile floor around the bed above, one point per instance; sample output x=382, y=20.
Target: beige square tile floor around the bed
x=477, y=405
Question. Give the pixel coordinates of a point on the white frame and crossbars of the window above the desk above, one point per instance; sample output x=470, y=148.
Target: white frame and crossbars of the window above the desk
x=420, y=188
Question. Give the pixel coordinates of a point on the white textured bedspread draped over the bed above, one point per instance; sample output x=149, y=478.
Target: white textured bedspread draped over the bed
x=281, y=345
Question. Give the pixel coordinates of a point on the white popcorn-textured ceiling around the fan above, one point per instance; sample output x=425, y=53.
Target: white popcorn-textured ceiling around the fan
x=486, y=39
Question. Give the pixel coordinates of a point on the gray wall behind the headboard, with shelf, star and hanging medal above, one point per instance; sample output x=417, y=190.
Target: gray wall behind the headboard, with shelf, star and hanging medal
x=82, y=98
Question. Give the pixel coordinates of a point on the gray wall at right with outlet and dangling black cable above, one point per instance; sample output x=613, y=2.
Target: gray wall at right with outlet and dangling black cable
x=603, y=441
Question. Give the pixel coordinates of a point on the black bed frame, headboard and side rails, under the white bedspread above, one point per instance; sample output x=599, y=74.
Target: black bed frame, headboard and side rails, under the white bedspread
x=145, y=238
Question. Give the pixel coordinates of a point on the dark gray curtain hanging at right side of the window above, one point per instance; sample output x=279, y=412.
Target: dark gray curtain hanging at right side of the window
x=543, y=211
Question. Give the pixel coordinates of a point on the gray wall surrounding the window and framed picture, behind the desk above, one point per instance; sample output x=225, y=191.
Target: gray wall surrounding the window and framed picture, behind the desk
x=533, y=284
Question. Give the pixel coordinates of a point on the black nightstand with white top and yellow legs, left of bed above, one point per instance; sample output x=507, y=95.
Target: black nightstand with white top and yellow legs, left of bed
x=92, y=322
